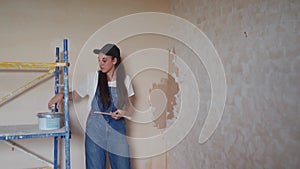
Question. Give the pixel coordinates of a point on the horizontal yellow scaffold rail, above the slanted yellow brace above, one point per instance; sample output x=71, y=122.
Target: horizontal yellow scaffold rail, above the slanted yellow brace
x=30, y=65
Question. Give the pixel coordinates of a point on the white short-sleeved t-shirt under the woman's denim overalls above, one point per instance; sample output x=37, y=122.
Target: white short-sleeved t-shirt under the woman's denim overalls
x=89, y=87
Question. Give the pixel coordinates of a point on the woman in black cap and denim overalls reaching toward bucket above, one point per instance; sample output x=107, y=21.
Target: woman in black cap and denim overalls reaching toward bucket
x=109, y=91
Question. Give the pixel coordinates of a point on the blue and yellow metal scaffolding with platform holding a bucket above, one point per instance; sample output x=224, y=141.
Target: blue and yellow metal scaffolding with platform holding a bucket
x=14, y=132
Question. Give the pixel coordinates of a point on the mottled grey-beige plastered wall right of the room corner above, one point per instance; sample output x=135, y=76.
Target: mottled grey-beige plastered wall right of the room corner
x=258, y=43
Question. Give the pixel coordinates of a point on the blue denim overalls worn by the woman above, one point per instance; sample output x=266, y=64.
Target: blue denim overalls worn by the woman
x=105, y=134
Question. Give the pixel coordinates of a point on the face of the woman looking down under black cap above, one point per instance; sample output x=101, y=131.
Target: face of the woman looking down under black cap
x=106, y=63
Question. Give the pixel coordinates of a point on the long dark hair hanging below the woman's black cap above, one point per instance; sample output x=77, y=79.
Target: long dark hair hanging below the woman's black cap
x=104, y=94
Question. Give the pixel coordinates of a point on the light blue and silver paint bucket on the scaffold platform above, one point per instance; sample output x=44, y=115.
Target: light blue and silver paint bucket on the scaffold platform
x=49, y=121
